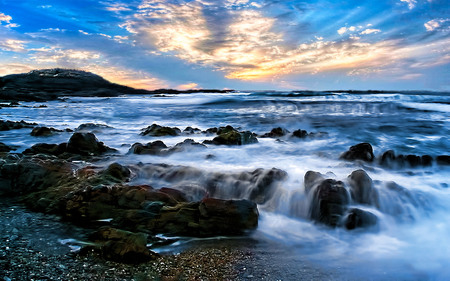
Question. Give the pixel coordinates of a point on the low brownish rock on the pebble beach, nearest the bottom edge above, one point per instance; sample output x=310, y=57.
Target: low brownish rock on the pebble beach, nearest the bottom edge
x=122, y=246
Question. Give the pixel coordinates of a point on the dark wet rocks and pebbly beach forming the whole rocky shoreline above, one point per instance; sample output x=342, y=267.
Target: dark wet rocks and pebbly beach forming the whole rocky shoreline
x=71, y=181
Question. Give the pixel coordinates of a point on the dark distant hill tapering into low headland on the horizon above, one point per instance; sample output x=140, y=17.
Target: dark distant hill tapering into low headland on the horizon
x=50, y=84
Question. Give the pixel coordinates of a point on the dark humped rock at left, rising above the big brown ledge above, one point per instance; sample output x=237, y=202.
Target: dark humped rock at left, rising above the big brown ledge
x=86, y=144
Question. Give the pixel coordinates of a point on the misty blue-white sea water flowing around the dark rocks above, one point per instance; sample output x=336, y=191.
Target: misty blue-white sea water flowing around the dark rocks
x=412, y=238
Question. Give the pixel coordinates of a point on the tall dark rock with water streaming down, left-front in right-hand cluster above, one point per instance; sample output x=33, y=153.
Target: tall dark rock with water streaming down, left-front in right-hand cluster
x=329, y=201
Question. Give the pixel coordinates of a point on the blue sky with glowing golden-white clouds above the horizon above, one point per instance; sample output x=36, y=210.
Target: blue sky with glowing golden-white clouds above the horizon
x=234, y=44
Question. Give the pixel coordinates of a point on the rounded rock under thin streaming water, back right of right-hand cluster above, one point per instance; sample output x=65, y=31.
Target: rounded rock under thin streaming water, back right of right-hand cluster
x=361, y=188
